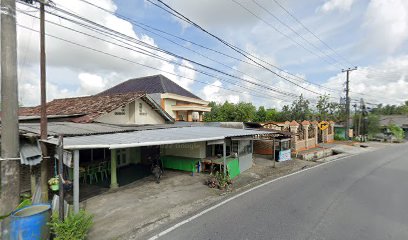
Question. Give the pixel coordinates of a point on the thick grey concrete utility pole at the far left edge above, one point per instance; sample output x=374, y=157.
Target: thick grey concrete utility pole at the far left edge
x=10, y=159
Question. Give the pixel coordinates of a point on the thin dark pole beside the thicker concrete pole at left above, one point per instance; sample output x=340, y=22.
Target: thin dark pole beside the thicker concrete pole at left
x=43, y=120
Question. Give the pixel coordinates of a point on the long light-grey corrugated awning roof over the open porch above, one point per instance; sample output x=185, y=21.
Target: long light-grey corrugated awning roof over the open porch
x=154, y=137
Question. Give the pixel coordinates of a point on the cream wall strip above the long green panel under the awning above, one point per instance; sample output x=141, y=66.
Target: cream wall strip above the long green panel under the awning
x=193, y=150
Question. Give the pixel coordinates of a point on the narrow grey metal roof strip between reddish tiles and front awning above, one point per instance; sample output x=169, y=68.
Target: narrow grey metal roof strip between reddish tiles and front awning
x=78, y=129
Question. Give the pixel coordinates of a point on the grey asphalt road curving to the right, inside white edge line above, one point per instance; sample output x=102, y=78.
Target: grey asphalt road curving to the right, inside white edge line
x=360, y=197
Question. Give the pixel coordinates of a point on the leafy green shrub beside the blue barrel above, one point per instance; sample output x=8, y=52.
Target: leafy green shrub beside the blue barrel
x=74, y=227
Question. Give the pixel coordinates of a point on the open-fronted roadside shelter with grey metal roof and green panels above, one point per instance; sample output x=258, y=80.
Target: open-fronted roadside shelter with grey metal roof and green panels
x=183, y=148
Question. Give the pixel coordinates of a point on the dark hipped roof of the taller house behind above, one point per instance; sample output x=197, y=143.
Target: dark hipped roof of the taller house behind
x=150, y=84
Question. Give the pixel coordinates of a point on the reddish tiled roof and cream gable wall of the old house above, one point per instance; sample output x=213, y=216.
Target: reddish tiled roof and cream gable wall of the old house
x=125, y=108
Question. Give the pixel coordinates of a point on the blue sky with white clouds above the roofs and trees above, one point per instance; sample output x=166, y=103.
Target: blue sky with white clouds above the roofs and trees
x=302, y=47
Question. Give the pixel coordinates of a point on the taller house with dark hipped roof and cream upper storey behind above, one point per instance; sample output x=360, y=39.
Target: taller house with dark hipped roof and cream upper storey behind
x=179, y=103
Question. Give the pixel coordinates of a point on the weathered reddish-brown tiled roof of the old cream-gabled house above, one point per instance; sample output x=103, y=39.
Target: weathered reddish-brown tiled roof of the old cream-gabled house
x=91, y=107
